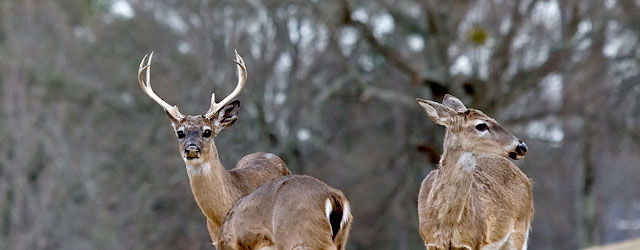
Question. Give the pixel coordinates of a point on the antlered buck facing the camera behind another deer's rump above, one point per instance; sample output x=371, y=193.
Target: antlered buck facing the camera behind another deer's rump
x=214, y=188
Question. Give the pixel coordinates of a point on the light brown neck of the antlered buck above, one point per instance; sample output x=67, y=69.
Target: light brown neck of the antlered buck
x=210, y=185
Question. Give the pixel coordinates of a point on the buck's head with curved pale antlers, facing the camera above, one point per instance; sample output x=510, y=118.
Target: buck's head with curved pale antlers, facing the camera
x=196, y=132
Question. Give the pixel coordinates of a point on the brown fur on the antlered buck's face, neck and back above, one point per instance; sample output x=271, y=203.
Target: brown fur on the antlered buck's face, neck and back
x=214, y=188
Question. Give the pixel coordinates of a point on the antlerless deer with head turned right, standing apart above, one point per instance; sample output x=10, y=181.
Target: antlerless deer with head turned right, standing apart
x=477, y=199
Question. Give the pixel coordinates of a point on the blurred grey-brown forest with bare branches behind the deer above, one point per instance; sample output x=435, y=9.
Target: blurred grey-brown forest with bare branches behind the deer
x=87, y=161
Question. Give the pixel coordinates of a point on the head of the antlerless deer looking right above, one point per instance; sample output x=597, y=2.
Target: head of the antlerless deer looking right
x=470, y=130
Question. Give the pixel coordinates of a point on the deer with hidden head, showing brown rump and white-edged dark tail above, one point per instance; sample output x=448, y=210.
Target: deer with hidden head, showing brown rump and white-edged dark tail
x=294, y=212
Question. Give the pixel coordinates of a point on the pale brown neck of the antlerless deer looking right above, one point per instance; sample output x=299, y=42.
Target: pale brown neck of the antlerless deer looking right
x=456, y=180
